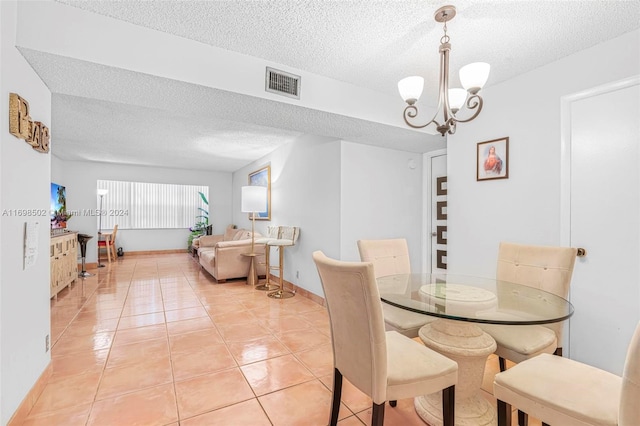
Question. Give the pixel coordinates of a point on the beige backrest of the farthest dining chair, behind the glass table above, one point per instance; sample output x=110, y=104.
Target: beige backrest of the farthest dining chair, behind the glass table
x=389, y=256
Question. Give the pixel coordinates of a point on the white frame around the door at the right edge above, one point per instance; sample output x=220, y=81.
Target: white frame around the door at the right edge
x=565, y=163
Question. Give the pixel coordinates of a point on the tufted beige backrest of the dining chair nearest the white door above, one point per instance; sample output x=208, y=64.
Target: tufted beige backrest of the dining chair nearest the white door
x=544, y=267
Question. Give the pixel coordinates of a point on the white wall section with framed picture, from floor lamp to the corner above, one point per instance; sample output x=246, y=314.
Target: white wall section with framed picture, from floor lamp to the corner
x=305, y=192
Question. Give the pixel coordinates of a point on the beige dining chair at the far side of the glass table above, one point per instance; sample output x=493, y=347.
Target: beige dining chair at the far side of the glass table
x=389, y=257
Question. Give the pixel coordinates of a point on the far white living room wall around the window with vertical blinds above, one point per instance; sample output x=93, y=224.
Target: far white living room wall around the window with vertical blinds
x=79, y=178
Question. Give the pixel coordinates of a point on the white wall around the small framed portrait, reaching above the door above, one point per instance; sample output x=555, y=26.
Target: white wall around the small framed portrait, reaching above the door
x=526, y=206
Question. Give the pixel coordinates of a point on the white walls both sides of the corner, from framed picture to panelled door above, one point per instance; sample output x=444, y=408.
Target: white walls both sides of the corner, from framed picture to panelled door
x=317, y=184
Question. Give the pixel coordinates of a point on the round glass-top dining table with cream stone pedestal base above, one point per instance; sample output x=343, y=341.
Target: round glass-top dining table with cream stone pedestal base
x=459, y=306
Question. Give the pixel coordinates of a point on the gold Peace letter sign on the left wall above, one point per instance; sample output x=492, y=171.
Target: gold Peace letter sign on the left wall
x=23, y=127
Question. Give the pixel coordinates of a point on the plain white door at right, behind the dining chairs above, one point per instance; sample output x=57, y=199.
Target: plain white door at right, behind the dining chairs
x=601, y=197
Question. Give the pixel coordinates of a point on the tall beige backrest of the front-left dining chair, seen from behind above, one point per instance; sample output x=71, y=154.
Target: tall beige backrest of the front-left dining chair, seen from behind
x=357, y=326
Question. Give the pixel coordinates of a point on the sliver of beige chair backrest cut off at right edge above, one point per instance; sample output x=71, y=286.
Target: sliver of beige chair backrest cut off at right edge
x=629, y=411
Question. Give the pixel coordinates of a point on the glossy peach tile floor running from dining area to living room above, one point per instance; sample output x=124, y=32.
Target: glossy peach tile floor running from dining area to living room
x=154, y=340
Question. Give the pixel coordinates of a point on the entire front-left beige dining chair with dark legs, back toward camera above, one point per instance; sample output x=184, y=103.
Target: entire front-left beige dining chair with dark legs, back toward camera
x=386, y=366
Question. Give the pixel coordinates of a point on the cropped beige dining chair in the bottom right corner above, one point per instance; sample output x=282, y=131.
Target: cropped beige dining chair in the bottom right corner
x=561, y=391
